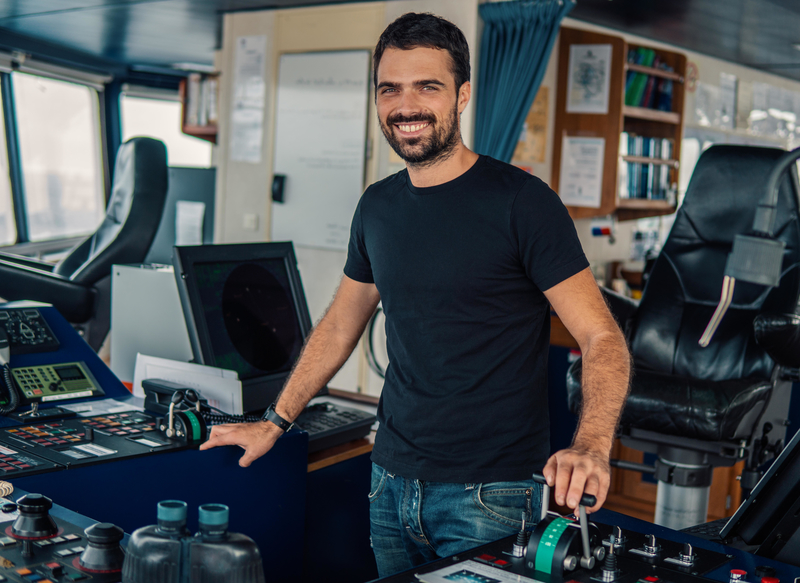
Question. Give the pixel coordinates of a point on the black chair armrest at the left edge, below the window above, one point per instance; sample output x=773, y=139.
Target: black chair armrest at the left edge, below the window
x=76, y=302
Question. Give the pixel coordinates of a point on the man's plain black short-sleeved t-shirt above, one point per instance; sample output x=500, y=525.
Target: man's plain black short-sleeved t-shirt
x=460, y=268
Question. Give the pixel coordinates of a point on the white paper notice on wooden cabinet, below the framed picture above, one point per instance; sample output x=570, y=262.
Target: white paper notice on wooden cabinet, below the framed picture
x=581, y=178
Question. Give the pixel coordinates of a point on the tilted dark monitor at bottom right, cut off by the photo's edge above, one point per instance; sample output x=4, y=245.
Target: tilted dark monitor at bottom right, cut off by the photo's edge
x=770, y=517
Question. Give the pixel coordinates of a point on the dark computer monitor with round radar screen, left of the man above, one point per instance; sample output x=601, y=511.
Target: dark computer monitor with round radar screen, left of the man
x=245, y=311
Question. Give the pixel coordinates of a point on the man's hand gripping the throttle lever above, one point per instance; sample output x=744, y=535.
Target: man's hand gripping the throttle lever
x=576, y=471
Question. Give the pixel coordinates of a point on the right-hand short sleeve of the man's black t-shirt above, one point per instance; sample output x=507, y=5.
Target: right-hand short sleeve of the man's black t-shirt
x=548, y=242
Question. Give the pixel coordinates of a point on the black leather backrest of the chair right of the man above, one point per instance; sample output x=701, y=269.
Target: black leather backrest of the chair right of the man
x=685, y=284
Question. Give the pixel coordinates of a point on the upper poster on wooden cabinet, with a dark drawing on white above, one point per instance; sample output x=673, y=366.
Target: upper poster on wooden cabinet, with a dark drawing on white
x=588, y=81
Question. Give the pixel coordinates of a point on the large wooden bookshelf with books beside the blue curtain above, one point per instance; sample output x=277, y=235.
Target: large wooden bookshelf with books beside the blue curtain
x=641, y=128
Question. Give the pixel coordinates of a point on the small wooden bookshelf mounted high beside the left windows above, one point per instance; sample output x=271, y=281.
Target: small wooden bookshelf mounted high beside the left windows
x=199, y=95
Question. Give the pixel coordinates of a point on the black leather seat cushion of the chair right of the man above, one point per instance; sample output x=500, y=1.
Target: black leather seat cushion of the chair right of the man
x=692, y=408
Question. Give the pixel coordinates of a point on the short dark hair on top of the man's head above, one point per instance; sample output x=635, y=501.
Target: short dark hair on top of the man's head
x=414, y=30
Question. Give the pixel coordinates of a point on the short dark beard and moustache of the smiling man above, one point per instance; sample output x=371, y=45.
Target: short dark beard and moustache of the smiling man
x=424, y=151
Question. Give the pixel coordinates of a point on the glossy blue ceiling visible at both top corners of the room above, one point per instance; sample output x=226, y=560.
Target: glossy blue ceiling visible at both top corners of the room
x=756, y=33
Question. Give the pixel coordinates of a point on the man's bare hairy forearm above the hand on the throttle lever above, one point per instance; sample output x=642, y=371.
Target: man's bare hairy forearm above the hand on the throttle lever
x=605, y=384
